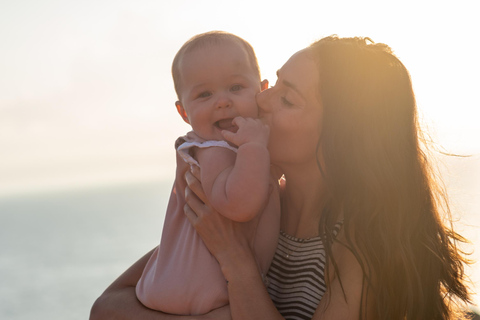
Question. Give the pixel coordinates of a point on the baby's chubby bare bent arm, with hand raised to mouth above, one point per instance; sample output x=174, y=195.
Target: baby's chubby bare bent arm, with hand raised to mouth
x=238, y=186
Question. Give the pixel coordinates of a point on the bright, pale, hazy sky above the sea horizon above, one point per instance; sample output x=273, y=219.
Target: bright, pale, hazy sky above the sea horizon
x=86, y=92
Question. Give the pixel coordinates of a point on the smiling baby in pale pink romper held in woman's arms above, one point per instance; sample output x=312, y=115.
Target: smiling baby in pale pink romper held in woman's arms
x=216, y=78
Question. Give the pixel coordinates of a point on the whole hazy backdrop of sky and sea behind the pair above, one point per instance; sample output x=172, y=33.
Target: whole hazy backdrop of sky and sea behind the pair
x=87, y=122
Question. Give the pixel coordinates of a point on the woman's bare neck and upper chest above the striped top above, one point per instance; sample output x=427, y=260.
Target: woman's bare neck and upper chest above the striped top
x=303, y=200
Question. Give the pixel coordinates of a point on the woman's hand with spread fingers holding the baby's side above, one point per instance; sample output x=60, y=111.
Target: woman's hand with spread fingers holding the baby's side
x=223, y=237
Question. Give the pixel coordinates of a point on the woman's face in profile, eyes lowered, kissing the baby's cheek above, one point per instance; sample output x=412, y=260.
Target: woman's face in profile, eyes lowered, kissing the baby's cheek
x=293, y=111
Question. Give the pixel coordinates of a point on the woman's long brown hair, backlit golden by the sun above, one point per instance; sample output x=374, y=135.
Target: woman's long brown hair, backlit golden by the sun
x=395, y=215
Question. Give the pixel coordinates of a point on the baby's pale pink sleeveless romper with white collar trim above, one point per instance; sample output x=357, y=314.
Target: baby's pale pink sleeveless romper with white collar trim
x=182, y=277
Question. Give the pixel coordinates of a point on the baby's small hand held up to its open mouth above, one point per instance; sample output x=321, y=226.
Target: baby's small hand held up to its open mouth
x=249, y=131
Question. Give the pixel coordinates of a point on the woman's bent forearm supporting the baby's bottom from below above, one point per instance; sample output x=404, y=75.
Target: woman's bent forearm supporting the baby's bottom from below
x=119, y=301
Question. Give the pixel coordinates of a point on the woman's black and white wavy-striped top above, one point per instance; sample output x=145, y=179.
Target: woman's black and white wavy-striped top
x=296, y=282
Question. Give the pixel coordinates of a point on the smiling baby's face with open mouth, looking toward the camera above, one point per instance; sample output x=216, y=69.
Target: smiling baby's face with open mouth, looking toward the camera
x=217, y=84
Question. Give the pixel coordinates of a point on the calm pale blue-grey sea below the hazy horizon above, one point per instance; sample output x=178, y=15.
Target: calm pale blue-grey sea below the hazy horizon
x=60, y=250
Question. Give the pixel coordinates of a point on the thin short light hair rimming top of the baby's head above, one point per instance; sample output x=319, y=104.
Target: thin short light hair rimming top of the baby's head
x=207, y=39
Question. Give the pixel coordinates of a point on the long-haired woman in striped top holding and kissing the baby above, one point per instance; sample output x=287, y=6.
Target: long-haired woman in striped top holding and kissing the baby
x=358, y=185
